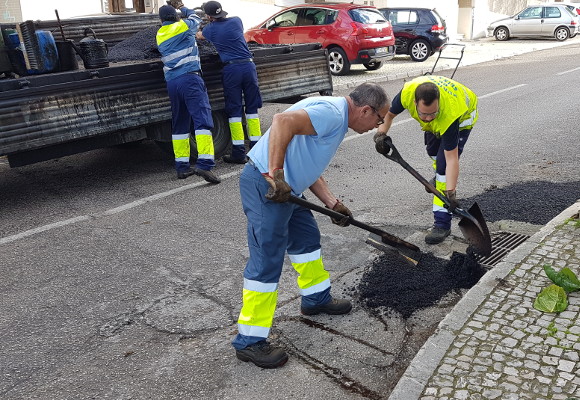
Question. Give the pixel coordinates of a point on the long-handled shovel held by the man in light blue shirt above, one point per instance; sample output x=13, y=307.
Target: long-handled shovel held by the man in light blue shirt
x=408, y=250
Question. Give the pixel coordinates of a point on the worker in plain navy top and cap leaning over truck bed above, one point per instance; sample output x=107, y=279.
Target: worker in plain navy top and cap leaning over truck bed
x=238, y=75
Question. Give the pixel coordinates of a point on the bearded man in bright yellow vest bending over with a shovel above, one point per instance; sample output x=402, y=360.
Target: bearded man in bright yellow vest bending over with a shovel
x=446, y=111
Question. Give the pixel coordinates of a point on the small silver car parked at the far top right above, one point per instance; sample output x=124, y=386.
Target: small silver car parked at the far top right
x=545, y=20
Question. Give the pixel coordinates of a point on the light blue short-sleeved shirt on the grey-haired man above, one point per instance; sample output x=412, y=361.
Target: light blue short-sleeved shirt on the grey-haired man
x=308, y=156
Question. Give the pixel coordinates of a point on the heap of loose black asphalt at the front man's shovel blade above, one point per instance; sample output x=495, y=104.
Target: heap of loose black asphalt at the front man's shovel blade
x=394, y=283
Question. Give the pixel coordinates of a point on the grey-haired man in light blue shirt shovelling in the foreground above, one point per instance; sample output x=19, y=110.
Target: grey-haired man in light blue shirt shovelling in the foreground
x=289, y=159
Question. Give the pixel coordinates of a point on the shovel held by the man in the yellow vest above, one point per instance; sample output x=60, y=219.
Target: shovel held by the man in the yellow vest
x=472, y=223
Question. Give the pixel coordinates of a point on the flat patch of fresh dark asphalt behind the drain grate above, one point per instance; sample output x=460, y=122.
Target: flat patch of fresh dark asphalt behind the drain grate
x=535, y=202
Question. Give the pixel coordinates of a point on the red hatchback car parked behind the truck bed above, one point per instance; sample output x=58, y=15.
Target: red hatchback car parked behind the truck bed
x=353, y=34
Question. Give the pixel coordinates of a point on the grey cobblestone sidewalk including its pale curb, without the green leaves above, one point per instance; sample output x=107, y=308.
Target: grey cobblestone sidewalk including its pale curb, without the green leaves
x=494, y=344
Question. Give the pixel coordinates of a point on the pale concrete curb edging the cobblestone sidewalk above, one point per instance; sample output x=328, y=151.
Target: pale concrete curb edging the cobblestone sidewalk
x=413, y=381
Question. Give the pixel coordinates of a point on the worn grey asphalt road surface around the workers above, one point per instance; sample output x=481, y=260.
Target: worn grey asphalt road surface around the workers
x=120, y=282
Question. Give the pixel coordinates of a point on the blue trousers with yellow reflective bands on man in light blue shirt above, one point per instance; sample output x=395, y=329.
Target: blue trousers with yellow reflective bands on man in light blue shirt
x=273, y=230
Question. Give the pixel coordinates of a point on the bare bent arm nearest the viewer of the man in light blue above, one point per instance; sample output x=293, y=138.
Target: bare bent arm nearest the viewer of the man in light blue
x=284, y=127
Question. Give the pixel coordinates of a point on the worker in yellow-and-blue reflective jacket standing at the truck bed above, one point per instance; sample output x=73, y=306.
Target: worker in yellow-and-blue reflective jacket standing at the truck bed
x=187, y=93
